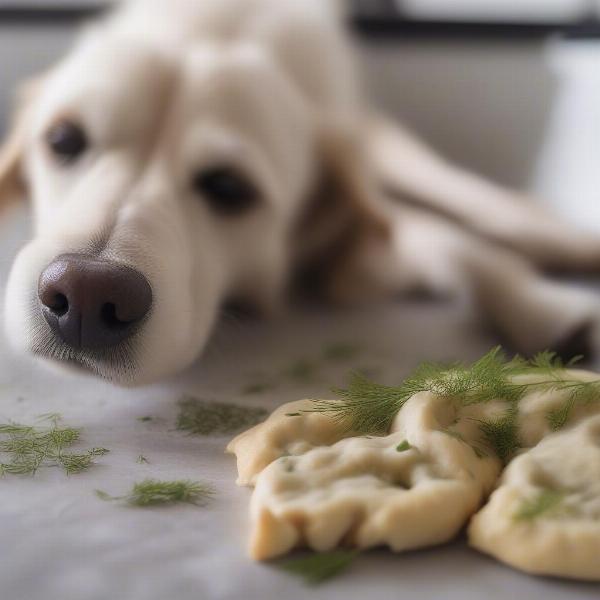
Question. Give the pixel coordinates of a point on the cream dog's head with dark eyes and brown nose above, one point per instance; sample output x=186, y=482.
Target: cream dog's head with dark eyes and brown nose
x=162, y=183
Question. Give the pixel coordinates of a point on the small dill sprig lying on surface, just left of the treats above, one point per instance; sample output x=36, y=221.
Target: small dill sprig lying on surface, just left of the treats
x=152, y=492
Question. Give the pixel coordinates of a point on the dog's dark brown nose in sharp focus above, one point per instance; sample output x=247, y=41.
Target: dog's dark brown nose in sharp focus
x=92, y=303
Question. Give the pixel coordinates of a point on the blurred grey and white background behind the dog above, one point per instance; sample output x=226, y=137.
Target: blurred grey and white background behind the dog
x=510, y=88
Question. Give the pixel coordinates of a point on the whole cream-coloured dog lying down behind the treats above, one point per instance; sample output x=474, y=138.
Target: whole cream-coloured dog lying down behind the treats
x=188, y=153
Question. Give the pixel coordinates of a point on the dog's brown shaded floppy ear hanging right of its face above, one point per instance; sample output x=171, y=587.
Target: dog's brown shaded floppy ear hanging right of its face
x=346, y=225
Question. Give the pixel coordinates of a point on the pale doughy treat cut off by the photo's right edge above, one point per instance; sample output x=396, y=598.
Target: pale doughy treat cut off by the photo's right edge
x=544, y=518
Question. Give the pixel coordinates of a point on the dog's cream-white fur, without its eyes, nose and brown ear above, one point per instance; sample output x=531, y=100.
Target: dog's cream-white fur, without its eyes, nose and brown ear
x=165, y=87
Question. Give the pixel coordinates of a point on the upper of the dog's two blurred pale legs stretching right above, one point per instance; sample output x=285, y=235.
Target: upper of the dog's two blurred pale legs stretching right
x=408, y=167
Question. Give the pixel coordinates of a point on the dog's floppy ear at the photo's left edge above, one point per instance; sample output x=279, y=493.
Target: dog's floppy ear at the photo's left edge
x=12, y=186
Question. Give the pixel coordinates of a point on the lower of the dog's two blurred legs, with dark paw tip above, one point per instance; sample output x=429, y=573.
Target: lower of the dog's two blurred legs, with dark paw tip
x=428, y=253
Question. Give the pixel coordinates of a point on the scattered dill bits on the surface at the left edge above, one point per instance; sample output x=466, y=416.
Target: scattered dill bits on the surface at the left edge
x=31, y=447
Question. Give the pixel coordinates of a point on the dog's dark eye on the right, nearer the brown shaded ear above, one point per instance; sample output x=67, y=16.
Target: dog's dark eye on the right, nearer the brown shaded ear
x=228, y=191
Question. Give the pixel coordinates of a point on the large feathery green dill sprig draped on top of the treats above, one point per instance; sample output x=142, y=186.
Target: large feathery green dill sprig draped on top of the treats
x=367, y=407
